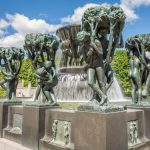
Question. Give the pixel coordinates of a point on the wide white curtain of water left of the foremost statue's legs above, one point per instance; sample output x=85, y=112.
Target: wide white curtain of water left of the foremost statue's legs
x=72, y=87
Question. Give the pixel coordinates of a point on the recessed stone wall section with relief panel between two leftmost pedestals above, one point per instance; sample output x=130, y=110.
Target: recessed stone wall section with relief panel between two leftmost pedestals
x=13, y=131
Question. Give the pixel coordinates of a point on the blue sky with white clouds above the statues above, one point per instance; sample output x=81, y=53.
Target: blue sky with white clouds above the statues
x=19, y=17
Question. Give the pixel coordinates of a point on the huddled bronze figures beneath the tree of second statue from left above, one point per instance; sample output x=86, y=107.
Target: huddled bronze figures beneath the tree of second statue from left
x=47, y=79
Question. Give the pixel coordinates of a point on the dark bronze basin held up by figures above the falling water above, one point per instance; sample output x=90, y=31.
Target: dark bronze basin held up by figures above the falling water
x=69, y=45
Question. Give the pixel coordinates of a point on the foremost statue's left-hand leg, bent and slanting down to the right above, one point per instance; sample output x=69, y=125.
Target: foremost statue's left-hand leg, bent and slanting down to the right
x=91, y=74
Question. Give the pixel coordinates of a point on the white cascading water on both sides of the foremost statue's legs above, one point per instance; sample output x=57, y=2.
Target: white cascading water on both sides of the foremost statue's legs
x=74, y=87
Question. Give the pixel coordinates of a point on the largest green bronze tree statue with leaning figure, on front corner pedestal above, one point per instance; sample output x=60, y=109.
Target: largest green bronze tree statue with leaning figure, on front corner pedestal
x=98, y=23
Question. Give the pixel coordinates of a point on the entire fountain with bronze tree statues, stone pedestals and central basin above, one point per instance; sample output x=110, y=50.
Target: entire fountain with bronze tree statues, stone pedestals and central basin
x=96, y=125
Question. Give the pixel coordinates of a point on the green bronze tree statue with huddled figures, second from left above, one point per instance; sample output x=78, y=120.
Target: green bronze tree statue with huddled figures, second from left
x=42, y=49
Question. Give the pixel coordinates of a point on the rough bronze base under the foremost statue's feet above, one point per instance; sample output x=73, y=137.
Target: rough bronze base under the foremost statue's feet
x=94, y=106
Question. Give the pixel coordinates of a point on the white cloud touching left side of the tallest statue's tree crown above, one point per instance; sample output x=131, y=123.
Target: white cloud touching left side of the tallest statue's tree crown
x=77, y=15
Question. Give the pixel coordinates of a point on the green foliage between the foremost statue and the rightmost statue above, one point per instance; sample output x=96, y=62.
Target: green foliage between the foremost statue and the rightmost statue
x=120, y=66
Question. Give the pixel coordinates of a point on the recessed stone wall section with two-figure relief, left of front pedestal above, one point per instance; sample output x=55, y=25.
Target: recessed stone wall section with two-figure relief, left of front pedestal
x=59, y=130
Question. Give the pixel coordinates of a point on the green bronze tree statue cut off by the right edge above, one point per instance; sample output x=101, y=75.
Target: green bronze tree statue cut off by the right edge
x=139, y=72
